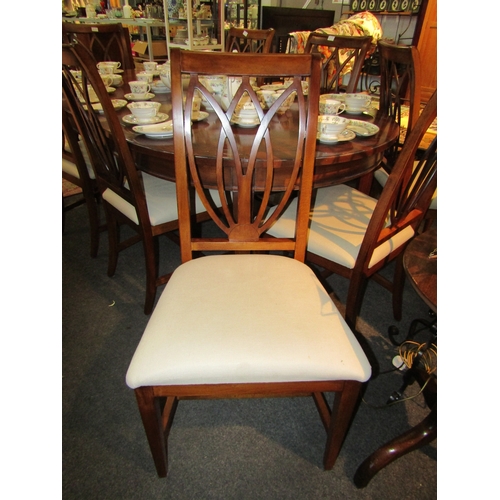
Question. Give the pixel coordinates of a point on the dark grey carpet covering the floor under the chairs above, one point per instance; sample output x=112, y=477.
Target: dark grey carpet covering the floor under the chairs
x=237, y=449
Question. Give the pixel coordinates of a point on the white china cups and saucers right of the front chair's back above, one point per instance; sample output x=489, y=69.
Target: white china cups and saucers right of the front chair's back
x=333, y=128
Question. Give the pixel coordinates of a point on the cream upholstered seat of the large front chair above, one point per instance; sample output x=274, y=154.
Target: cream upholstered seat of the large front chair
x=287, y=330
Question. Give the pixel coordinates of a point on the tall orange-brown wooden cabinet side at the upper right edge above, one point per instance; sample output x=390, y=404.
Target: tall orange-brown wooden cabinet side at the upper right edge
x=426, y=41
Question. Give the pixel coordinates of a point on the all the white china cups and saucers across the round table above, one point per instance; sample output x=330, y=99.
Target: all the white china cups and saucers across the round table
x=147, y=119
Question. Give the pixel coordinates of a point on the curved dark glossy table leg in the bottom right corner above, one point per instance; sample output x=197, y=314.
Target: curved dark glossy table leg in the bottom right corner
x=423, y=433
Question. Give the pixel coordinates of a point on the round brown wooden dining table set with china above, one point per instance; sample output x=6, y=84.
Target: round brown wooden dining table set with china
x=335, y=163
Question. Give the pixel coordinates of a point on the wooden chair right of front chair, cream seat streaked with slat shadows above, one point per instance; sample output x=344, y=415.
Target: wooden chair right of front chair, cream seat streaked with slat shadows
x=355, y=235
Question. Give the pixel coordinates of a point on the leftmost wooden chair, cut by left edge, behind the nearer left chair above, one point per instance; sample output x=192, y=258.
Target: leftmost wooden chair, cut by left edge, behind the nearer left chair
x=76, y=169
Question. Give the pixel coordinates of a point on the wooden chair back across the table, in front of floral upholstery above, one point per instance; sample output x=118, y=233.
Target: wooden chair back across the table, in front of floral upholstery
x=339, y=53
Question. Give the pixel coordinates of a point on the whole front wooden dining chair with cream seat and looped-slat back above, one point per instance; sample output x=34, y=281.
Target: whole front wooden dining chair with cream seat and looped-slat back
x=243, y=322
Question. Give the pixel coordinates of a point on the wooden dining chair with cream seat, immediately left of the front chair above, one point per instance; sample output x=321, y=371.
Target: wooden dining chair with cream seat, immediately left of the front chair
x=143, y=202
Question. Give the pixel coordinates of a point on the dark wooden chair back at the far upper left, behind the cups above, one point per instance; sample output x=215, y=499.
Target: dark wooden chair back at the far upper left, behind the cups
x=106, y=42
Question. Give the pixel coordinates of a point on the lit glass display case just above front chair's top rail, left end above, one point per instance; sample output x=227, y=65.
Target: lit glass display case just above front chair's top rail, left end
x=195, y=24
